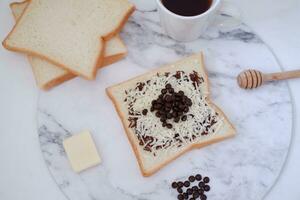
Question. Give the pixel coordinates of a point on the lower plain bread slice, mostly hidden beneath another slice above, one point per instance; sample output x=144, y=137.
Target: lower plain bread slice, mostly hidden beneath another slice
x=48, y=75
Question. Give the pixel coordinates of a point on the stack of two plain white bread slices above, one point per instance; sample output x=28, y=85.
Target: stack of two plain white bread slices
x=68, y=38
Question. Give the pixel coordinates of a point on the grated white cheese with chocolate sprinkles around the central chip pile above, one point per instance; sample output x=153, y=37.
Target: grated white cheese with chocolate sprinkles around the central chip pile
x=188, y=131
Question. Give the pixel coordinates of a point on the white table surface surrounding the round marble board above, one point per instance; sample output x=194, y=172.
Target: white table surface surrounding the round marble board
x=22, y=170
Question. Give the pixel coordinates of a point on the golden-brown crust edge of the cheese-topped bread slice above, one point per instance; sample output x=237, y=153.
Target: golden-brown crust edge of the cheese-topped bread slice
x=146, y=173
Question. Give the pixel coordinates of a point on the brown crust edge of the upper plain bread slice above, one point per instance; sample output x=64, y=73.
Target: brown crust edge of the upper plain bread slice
x=99, y=57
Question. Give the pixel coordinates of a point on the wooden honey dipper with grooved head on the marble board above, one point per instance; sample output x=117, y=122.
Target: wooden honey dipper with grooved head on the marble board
x=251, y=78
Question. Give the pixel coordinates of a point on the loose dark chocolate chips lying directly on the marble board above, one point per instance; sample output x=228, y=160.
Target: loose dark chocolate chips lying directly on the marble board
x=193, y=188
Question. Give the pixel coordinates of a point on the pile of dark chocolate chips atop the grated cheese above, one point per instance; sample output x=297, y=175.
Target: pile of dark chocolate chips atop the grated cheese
x=170, y=105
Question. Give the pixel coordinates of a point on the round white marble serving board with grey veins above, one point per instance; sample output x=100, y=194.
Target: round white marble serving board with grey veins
x=244, y=167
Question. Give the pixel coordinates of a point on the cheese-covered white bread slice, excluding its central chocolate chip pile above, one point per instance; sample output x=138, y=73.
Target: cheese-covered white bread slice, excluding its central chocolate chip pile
x=139, y=92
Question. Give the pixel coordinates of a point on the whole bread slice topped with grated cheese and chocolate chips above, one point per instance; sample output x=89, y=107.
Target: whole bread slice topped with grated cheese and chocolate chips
x=168, y=111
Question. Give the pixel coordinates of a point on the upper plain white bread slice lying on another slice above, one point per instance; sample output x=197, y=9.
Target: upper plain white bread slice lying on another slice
x=69, y=33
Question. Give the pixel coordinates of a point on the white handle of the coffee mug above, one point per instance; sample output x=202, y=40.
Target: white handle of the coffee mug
x=231, y=16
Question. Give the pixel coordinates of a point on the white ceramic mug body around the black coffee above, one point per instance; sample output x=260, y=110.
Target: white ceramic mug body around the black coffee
x=186, y=28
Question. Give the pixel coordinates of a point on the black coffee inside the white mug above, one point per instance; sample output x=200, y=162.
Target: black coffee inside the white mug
x=187, y=7
